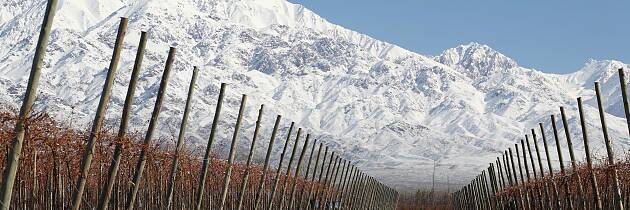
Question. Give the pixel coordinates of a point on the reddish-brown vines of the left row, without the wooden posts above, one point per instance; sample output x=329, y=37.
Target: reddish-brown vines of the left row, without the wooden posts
x=52, y=152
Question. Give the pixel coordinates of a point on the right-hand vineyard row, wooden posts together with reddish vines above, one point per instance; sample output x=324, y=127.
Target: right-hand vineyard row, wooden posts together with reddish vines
x=508, y=183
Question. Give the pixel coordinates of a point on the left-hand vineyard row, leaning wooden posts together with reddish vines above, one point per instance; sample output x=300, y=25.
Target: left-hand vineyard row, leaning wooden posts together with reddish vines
x=50, y=166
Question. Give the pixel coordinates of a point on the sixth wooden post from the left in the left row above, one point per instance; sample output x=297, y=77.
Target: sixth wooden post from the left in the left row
x=206, y=158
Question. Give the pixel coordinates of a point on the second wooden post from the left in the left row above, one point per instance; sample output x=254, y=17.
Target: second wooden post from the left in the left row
x=101, y=110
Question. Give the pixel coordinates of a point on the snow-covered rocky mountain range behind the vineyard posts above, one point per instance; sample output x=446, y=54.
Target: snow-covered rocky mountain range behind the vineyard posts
x=393, y=112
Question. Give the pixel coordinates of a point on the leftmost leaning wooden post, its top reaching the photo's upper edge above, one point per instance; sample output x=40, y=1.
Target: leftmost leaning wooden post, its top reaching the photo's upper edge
x=13, y=156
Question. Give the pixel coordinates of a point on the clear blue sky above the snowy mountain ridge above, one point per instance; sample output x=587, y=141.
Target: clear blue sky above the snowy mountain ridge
x=553, y=36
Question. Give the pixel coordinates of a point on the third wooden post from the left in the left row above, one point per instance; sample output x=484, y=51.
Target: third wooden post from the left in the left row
x=124, y=122
